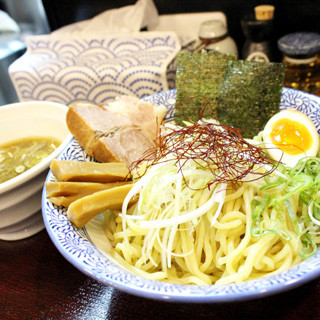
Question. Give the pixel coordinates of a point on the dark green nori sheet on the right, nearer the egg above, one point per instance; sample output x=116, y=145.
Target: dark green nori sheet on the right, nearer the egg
x=249, y=95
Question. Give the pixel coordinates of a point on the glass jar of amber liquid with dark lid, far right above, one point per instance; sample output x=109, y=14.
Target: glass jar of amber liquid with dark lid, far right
x=301, y=53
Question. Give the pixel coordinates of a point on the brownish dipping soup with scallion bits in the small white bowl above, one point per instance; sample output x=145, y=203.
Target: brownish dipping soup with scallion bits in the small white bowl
x=20, y=155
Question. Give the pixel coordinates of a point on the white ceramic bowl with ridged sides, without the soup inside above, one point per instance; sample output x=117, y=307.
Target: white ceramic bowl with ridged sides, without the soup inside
x=20, y=197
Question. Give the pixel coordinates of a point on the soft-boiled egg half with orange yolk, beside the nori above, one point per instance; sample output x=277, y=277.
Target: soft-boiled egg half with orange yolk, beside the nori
x=289, y=136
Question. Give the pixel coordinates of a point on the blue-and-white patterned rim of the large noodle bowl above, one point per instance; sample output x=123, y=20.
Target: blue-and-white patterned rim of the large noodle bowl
x=77, y=247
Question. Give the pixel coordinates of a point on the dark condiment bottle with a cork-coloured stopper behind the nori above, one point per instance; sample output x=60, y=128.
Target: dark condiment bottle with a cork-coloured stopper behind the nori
x=258, y=29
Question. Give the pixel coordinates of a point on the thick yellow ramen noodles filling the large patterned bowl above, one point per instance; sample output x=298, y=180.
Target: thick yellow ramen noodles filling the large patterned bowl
x=206, y=250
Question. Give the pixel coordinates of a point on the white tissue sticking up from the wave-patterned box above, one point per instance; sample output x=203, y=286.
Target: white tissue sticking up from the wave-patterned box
x=125, y=19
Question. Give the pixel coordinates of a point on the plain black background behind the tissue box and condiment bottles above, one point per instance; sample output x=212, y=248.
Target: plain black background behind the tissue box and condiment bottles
x=290, y=15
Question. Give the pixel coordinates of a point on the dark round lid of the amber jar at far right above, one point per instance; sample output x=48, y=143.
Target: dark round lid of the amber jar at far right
x=300, y=43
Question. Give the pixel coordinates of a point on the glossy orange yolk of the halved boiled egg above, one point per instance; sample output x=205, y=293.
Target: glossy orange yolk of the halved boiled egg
x=290, y=136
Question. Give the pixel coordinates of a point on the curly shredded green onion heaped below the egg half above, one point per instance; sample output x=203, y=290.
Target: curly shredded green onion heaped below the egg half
x=303, y=181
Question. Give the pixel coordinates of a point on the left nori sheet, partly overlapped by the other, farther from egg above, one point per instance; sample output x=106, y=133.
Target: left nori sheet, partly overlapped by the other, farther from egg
x=198, y=73
